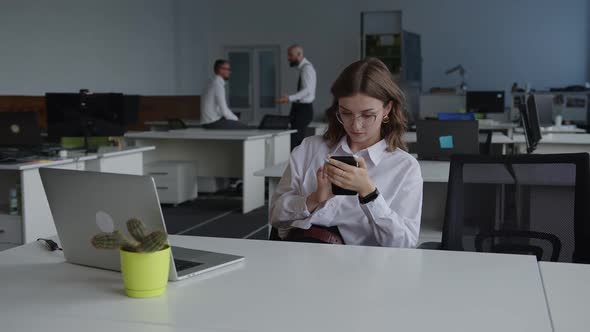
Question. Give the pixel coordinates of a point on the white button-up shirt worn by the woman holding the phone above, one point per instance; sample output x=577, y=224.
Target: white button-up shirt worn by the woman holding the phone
x=391, y=220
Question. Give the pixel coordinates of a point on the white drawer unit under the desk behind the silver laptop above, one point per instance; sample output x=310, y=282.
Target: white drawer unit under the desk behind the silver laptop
x=176, y=181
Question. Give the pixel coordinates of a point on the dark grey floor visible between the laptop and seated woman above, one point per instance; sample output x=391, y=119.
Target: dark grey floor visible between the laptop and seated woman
x=216, y=216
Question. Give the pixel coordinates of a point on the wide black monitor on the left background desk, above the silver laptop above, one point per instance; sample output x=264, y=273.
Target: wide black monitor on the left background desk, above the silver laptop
x=74, y=114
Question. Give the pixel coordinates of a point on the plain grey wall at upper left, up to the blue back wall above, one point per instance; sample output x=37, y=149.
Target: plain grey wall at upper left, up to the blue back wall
x=131, y=46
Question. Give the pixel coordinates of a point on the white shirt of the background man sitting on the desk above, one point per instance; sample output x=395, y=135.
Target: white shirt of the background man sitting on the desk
x=213, y=104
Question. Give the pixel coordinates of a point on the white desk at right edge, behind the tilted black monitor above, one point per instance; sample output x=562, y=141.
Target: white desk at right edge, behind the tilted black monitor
x=558, y=143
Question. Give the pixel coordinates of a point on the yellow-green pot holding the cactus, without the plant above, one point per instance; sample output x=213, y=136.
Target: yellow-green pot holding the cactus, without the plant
x=145, y=274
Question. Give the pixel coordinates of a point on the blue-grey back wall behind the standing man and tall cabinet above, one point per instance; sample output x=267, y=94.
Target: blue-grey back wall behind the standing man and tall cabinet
x=543, y=42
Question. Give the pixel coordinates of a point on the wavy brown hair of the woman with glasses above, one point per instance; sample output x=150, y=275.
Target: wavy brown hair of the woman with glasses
x=372, y=78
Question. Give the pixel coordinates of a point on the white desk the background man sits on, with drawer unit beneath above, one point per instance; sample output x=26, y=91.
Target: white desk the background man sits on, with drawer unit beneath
x=221, y=153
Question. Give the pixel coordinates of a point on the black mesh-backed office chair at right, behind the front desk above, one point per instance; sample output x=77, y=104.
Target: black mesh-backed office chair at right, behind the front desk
x=519, y=204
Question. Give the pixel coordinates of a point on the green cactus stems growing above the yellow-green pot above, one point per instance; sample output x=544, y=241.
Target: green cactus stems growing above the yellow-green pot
x=141, y=242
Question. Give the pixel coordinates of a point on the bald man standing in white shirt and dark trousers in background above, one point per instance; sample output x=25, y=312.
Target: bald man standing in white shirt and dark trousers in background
x=301, y=107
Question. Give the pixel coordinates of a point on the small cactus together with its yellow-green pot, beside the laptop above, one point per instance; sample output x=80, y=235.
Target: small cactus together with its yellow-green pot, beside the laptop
x=145, y=258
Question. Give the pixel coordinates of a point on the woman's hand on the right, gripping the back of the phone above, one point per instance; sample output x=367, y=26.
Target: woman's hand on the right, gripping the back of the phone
x=350, y=177
